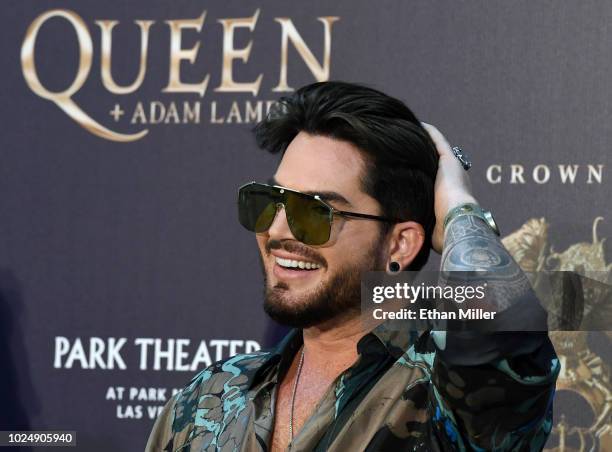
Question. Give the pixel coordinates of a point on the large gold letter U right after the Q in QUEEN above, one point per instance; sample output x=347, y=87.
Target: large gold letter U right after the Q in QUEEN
x=106, y=31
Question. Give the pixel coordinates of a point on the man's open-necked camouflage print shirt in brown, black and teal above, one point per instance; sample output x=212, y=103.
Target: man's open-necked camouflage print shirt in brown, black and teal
x=403, y=393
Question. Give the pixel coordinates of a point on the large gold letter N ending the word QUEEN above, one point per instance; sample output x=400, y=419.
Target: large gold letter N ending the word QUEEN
x=289, y=33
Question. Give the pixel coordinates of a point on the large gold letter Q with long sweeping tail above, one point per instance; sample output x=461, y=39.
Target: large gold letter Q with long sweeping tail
x=63, y=99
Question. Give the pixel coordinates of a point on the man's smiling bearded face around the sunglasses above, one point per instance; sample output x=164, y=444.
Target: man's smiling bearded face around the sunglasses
x=306, y=297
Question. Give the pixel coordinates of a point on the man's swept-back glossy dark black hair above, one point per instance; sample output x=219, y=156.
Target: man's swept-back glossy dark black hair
x=401, y=160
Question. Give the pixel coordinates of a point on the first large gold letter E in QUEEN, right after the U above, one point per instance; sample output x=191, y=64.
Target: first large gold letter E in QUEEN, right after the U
x=178, y=54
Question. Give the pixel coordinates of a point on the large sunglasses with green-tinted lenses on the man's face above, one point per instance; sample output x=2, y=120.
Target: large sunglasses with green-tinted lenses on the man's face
x=309, y=218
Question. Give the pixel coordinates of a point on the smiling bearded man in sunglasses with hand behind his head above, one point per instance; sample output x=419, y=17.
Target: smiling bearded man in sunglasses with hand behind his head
x=363, y=185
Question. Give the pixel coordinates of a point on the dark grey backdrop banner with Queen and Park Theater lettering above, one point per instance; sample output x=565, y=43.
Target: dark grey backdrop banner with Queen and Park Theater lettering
x=126, y=131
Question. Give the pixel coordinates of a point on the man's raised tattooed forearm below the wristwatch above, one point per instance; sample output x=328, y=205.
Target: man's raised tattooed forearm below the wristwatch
x=471, y=245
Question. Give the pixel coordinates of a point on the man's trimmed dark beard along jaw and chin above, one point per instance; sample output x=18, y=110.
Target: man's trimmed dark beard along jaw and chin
x=339, y=297
